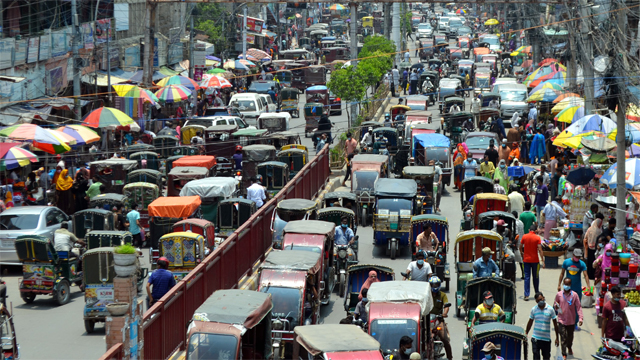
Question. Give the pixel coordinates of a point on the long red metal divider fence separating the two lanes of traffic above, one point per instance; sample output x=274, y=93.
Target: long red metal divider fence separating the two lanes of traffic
x=165, y=323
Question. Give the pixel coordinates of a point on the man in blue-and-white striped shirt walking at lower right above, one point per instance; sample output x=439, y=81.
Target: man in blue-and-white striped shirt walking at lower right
x=540, y=318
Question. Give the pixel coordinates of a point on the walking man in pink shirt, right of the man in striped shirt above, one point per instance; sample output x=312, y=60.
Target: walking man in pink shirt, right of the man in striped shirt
x=567, y=304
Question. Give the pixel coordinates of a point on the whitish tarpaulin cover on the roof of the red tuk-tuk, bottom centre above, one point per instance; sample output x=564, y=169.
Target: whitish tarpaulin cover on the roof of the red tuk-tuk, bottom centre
x=418, y=292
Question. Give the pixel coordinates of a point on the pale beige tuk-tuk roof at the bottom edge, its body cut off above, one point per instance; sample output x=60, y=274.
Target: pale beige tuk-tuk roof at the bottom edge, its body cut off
x=327, y=338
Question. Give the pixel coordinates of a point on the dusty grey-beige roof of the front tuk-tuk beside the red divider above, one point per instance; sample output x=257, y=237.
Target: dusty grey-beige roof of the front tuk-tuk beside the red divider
x=235, y=307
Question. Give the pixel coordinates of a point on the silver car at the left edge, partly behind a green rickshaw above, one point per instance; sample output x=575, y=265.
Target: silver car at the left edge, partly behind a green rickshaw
x=26, y=220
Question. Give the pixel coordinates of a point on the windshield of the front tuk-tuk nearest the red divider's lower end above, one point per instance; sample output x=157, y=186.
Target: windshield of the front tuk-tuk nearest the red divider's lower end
x=212, y=346
